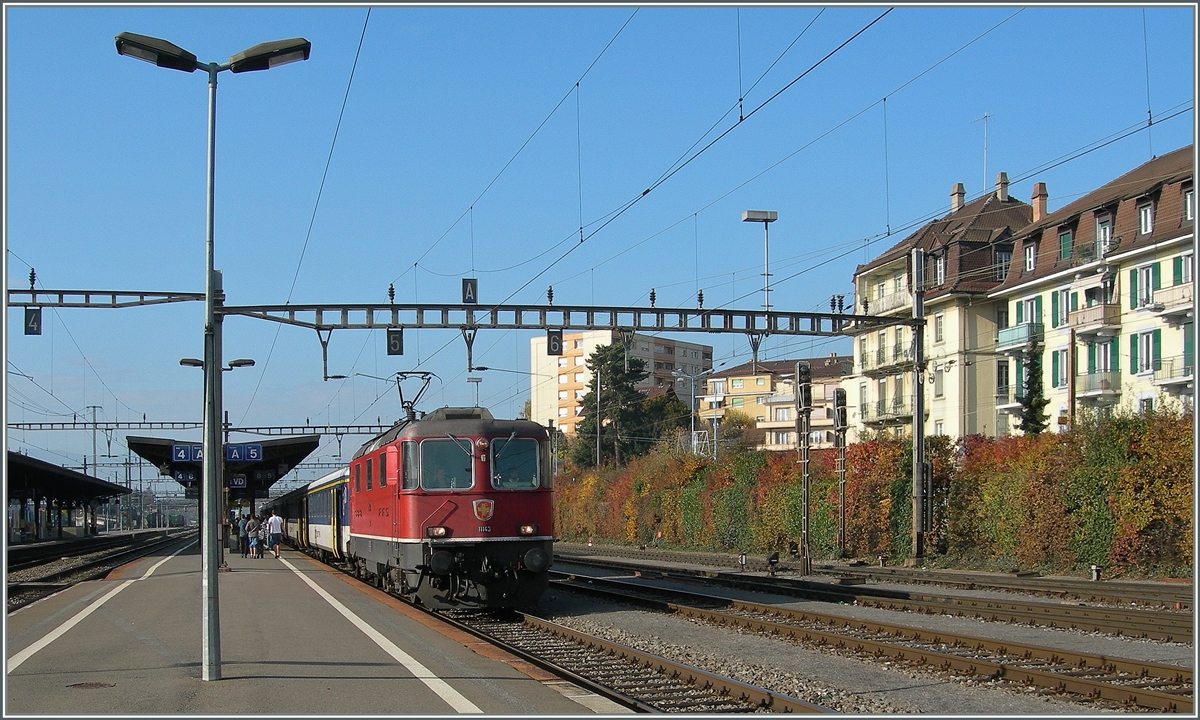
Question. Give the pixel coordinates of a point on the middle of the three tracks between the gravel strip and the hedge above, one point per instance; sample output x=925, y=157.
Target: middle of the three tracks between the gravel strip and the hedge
x=1165, y=626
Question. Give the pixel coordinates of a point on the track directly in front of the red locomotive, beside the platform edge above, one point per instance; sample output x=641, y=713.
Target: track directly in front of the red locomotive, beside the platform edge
x=634, y=679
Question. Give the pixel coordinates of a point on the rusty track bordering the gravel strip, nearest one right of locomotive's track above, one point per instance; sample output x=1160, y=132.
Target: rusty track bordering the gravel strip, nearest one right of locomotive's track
x=1090, y=677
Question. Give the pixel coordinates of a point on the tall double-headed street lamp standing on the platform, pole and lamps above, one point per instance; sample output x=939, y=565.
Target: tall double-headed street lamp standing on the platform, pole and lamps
x=261, y=57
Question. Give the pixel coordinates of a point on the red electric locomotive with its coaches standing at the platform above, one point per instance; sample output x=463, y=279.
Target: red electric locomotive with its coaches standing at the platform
x=452, y=511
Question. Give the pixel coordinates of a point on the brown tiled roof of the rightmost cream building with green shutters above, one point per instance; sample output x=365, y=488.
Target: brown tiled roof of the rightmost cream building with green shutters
x=1147, y=179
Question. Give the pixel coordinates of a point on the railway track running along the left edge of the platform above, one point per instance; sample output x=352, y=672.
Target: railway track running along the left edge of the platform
x=56, y=572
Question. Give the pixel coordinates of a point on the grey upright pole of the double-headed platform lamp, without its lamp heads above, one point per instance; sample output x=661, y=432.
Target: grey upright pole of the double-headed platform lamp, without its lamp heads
x=211, y=523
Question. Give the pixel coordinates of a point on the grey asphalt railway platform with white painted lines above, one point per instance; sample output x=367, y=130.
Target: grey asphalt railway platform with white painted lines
x=297, y=639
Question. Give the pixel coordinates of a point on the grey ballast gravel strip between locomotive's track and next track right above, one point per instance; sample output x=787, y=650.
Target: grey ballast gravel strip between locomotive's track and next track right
x=842, y=683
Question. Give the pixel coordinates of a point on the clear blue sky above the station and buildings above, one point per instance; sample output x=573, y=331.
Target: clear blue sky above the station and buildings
x=106, y=165
